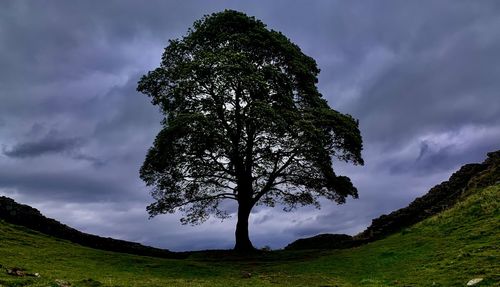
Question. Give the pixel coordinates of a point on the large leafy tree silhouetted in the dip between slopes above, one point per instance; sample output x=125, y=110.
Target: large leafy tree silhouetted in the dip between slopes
x=244, y=121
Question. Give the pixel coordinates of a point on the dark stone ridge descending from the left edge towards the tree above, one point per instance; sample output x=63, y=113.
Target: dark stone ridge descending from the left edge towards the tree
x=24, y=215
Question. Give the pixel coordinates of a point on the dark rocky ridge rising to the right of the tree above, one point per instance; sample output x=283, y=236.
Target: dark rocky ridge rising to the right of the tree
x=439, y=198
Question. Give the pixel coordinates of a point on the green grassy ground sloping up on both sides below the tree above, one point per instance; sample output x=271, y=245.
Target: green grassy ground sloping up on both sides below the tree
x=445, y=250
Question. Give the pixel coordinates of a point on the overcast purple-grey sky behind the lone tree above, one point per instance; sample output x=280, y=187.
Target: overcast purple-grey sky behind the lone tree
x=423, y=78
